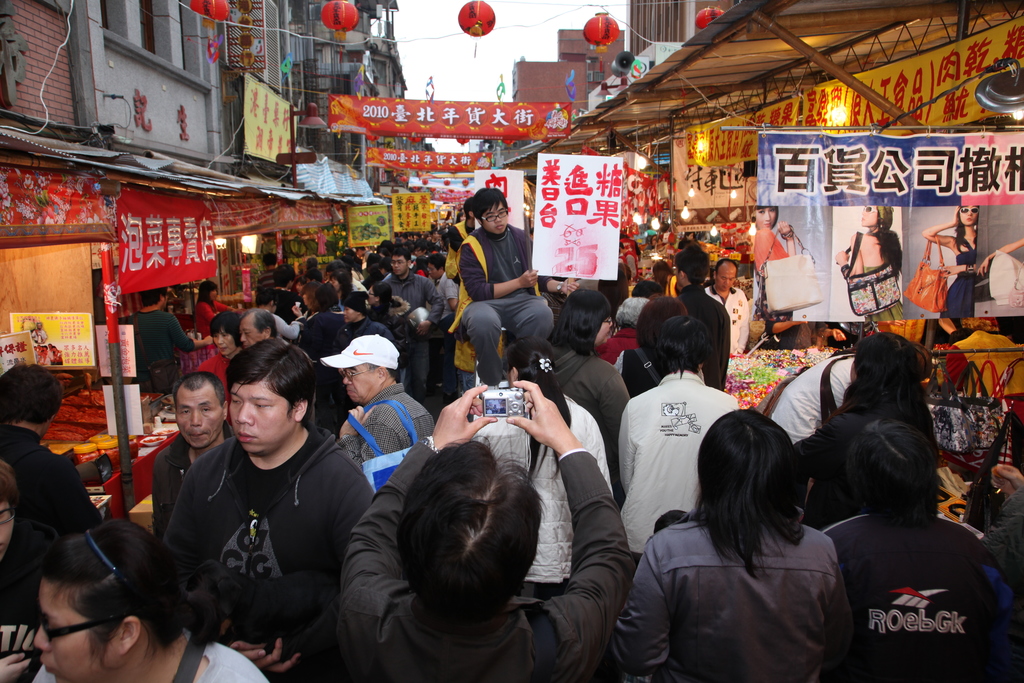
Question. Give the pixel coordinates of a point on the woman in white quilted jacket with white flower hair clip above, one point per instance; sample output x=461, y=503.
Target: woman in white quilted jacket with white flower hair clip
x=529, y=360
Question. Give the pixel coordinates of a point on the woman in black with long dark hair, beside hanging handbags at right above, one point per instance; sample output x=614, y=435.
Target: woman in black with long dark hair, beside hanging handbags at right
x=888, y=372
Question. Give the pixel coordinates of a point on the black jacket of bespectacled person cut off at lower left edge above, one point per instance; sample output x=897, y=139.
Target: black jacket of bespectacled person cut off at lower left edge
x=20, y=588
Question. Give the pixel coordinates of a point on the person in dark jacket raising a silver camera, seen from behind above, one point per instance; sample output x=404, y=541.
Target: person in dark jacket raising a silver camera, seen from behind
x=433, y=569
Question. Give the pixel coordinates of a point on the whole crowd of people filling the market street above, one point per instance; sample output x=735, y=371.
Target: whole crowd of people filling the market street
x=629, y=523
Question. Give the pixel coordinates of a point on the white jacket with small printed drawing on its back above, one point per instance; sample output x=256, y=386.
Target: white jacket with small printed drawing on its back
x=659, y=439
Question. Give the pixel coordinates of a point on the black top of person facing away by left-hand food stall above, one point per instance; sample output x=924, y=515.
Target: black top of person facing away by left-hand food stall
x=50, y=486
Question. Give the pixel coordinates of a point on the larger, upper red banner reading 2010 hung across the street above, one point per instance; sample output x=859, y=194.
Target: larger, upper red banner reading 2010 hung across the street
x=478, y=121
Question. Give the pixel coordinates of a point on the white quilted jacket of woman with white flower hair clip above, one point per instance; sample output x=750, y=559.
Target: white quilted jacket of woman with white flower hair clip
x=554, y=544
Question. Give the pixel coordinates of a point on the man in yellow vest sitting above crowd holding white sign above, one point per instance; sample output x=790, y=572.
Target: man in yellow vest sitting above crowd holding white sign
x=500, y=289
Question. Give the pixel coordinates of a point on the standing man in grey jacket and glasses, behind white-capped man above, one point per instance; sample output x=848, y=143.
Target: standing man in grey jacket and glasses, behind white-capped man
x=420, y=293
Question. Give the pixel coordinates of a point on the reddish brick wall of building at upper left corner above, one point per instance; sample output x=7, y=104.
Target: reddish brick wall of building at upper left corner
x=45, y=30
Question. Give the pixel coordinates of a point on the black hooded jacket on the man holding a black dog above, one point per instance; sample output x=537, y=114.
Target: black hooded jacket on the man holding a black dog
x=307, y=528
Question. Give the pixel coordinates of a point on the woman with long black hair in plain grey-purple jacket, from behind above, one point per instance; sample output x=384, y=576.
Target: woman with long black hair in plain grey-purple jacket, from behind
x=738, y=590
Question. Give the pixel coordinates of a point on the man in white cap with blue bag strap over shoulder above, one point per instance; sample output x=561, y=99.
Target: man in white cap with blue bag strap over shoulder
x=369, y=370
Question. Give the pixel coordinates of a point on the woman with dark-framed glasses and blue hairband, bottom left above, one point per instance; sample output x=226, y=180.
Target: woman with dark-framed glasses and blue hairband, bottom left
x=112, y=611
